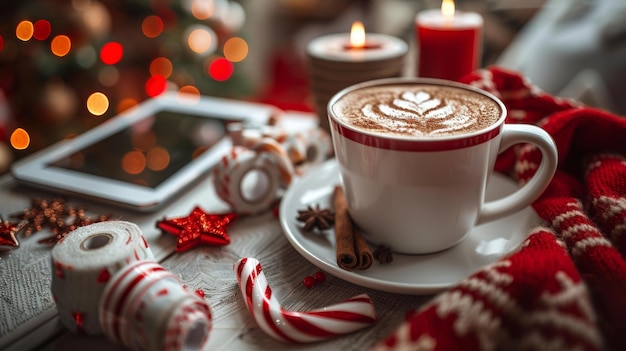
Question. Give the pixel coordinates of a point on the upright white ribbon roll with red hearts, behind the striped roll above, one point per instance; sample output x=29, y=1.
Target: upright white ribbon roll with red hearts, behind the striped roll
x=84, y=262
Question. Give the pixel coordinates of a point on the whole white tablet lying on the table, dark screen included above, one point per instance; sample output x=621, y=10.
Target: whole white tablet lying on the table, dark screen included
x=144, y=156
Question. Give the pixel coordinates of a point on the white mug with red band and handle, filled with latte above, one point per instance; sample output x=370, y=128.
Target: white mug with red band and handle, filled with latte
x=415, y=156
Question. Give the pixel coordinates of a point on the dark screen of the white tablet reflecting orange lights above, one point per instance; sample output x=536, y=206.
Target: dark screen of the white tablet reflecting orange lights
x=149, y=151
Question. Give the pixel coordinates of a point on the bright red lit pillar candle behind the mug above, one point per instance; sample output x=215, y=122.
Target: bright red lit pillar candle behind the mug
x=449, y=42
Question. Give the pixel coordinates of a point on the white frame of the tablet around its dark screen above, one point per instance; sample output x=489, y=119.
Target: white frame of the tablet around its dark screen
x=35, y=170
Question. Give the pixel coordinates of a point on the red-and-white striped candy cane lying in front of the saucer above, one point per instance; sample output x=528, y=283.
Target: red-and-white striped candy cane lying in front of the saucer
x=345, y=317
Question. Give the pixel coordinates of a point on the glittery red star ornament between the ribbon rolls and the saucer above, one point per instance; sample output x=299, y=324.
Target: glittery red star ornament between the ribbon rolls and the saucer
x=199, y=228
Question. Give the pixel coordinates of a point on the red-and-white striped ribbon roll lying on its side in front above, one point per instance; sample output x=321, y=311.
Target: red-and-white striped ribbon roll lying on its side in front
x=144, y=307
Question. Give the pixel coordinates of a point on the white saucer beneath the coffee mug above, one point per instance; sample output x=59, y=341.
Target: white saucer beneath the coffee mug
x=313, y=181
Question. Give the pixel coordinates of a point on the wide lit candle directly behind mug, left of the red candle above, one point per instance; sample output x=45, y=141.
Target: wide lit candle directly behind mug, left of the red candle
x=335, y=64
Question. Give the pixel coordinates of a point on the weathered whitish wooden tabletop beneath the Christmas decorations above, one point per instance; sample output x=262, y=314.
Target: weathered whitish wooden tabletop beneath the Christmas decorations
x=28, y=315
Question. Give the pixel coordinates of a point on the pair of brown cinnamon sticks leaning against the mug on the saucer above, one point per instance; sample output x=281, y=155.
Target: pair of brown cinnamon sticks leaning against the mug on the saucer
x=352, y=251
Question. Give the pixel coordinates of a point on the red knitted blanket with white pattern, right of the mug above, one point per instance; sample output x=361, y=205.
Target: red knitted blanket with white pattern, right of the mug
x=565, y=287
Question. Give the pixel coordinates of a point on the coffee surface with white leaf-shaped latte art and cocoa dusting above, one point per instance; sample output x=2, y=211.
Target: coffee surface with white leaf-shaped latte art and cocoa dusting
x=416, y=110
